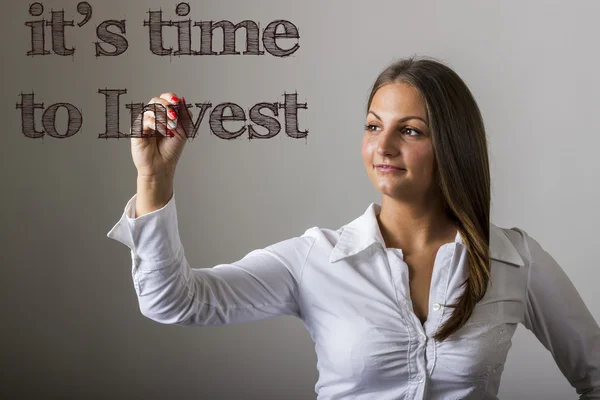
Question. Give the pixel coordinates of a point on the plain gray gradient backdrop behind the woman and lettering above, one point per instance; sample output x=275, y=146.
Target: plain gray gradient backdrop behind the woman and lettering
x=71, y=323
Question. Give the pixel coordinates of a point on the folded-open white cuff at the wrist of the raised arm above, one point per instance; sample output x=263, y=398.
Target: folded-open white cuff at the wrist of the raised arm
x=152, y=237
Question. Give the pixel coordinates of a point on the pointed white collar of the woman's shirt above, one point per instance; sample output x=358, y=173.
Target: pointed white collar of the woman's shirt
x=364, y=232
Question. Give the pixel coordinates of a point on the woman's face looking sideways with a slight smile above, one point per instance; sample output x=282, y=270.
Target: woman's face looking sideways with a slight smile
x=397, y=133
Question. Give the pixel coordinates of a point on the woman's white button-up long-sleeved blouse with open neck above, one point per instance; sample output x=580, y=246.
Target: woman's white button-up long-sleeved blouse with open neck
x=353, y=296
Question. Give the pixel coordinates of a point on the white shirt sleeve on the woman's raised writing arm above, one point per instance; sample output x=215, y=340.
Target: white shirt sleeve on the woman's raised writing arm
x=263, y=284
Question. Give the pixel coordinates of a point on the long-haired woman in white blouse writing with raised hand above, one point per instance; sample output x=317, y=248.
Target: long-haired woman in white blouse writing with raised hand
x=419, y=297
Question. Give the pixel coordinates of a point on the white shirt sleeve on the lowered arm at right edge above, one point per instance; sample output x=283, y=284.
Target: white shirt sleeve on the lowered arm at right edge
x=558, y=317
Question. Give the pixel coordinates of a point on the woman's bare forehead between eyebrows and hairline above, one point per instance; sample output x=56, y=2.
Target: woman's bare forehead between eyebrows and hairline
x=396, y=100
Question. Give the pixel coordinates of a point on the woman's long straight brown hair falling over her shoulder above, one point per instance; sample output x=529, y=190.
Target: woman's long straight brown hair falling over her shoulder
x=462, y=173
